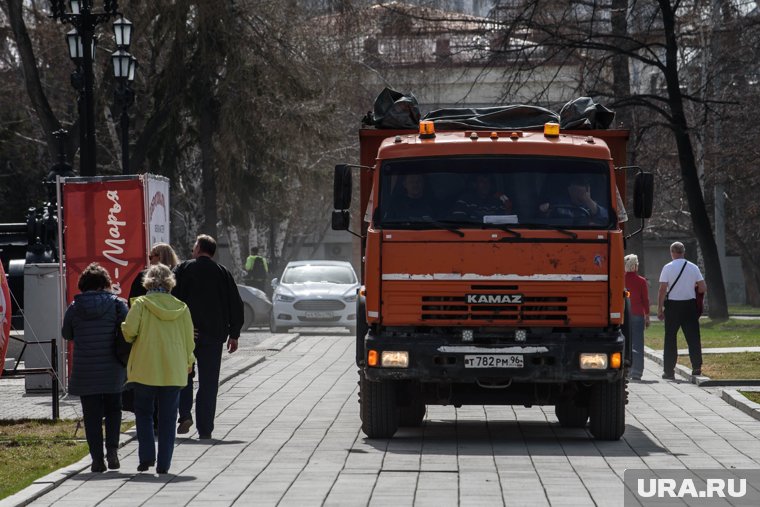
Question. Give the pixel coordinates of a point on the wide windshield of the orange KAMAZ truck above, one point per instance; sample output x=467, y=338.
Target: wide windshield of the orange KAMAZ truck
x=494, y=192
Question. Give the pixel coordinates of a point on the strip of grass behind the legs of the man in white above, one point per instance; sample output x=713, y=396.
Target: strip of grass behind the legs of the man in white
x=731, y=333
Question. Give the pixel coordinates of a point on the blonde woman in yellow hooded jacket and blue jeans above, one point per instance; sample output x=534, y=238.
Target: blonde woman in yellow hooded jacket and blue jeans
x=161, y=332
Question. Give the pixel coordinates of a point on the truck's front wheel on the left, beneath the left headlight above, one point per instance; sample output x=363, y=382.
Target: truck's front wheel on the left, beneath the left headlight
x=379, y=413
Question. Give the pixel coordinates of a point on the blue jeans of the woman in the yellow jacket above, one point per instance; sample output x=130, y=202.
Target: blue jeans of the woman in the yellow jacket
x=168, y=401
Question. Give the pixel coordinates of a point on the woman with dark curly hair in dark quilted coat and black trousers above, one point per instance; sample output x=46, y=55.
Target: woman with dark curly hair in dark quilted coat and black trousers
x=97, y=376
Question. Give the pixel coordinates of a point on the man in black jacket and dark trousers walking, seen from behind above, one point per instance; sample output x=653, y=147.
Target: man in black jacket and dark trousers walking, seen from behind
x=210, y=292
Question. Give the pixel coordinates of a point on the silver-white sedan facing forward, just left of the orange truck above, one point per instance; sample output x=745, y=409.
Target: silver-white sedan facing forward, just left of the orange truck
x=314, y=294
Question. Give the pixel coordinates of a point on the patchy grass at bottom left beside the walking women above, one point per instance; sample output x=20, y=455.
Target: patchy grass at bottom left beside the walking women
x=30, y=449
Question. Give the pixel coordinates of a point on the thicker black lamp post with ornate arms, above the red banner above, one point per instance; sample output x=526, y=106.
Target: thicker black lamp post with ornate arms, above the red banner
x=83, y=17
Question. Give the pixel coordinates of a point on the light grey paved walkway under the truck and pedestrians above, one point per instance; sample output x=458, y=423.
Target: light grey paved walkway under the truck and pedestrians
x=288, y=433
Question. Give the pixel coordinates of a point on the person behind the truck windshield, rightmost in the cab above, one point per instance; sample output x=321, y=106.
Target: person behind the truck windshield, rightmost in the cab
x=575, y=203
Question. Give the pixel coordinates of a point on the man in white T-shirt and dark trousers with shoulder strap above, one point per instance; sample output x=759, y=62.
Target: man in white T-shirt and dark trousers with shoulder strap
x=677, y=306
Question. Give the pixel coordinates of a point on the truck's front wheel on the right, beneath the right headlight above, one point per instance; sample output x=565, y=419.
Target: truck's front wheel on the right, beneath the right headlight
x=607, y=410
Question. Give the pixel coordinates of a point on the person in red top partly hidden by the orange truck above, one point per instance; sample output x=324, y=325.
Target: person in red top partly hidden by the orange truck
x=637, y=286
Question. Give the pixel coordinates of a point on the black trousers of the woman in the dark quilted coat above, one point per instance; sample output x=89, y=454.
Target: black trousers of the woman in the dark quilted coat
x=96, y=407
